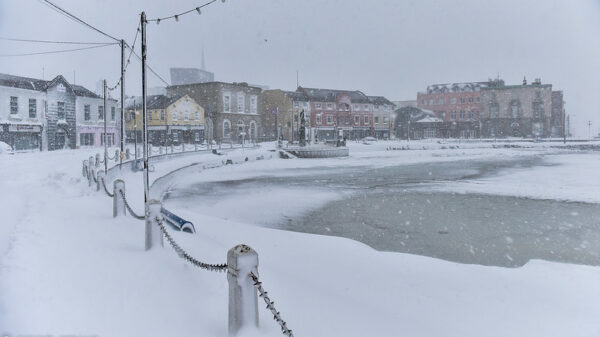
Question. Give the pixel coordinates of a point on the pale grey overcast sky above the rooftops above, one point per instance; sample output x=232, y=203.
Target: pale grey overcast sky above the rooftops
x=390, y=48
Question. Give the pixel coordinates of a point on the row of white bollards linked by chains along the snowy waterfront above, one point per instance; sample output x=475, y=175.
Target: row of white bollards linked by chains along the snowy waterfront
x=242, y=261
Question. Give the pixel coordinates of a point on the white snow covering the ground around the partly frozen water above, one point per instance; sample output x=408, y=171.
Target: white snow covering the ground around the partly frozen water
x=68, y=267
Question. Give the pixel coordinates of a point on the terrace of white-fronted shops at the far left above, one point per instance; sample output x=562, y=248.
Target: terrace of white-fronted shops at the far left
x=51, y=115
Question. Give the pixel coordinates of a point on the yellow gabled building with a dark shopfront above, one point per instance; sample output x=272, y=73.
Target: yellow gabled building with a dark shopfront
x=171, y=120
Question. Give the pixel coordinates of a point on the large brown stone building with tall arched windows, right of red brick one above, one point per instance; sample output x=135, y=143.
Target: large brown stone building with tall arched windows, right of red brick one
x=516, y=110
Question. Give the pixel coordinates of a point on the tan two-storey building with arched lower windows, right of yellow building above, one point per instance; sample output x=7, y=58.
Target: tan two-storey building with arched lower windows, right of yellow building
x=231, y=109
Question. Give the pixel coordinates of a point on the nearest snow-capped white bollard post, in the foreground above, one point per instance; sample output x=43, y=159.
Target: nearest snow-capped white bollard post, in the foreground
x=243, y=300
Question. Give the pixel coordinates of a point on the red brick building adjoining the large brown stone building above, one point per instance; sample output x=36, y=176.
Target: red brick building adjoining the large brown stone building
x=457, y=104
